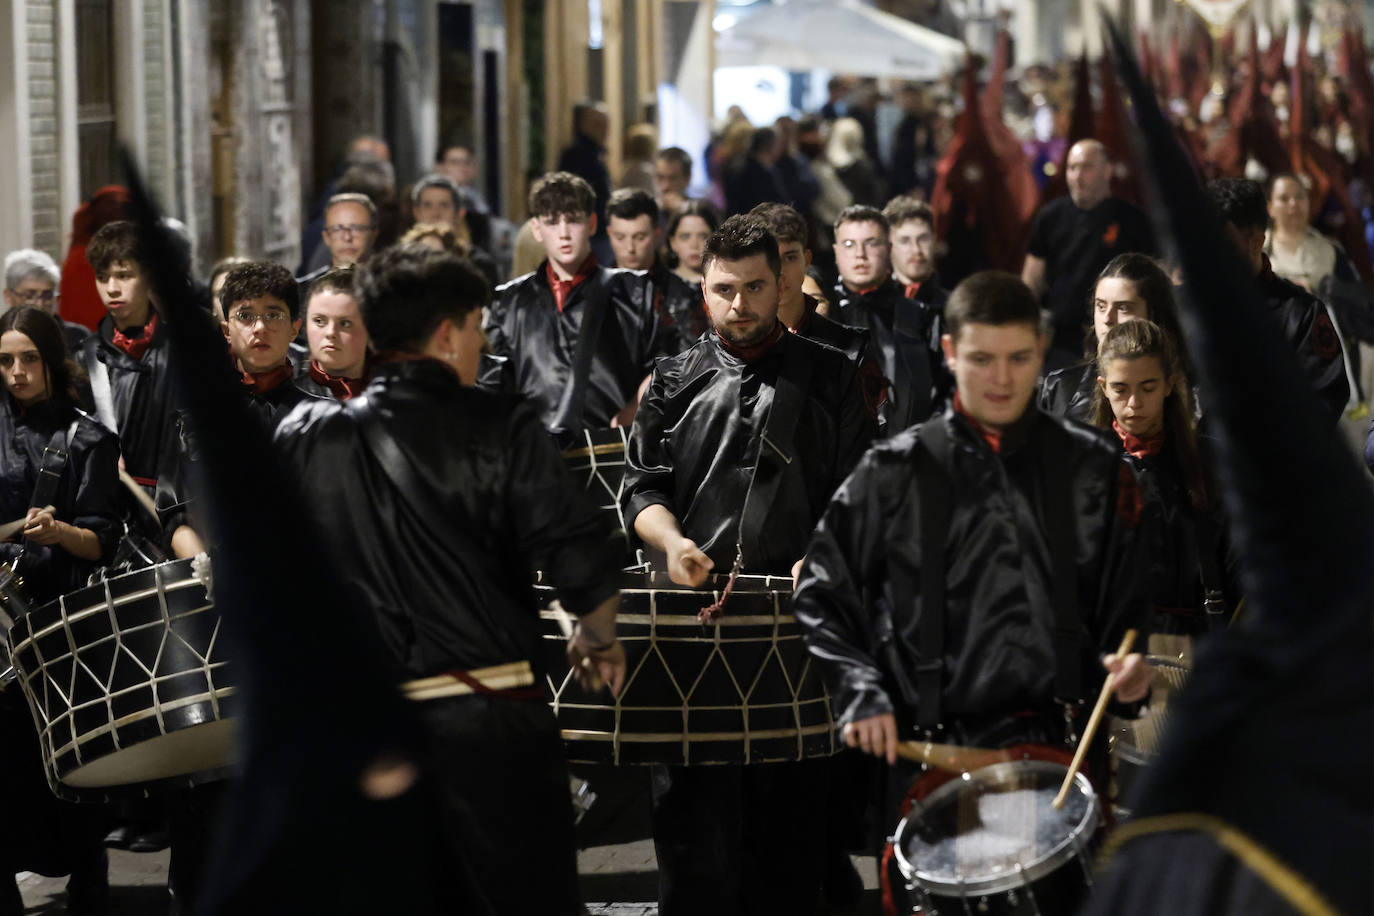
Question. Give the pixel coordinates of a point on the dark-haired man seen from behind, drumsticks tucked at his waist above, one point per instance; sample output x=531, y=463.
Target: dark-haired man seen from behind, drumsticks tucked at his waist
x=440, y=501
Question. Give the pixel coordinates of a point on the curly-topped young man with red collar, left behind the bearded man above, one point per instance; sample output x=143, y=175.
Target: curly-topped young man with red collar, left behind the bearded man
x=542, y=322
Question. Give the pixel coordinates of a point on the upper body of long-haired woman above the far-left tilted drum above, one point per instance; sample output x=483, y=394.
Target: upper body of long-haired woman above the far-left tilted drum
x=57, y=549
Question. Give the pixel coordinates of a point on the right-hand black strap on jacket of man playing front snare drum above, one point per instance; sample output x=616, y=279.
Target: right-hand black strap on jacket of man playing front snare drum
x=1064, y=595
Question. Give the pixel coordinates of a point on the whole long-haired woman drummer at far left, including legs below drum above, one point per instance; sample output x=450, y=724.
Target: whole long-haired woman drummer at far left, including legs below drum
x=71, y=524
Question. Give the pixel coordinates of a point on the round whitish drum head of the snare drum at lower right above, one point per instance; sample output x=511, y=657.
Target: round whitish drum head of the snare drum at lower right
x=995, y=829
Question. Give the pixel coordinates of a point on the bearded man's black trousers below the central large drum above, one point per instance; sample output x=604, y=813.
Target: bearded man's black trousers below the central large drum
x=740, y=840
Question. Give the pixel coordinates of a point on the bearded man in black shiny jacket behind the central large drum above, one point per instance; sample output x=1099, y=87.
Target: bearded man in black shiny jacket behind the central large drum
x=737, y=447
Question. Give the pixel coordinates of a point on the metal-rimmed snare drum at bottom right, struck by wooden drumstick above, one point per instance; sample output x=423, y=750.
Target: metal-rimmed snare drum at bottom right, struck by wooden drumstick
x=993, y=843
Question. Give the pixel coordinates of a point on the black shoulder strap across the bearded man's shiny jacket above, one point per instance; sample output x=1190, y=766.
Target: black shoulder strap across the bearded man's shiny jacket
x=776, y=446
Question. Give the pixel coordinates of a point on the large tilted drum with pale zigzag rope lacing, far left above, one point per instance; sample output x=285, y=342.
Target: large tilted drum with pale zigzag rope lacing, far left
x=127, y=682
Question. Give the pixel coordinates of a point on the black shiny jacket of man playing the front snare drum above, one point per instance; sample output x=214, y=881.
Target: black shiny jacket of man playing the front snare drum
x=998, y=649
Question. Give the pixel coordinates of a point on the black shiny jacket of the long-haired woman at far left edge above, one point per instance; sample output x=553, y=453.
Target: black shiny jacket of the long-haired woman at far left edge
x=87, y=496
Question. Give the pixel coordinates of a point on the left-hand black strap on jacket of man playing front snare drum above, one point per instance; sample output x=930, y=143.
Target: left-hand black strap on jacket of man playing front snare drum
x=936, y=513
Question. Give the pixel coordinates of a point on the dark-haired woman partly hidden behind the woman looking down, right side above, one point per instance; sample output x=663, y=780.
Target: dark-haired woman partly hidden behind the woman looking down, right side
x=1131, y=286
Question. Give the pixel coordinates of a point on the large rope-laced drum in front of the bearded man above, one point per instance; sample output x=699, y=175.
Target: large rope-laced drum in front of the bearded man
x=741, y=690
